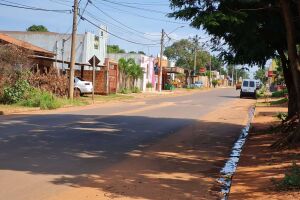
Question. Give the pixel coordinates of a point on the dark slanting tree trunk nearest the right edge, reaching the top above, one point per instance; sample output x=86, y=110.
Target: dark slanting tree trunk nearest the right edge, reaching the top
x=291, y=42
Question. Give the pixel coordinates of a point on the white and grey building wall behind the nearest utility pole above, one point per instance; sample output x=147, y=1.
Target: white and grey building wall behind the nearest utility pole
x=87, y=44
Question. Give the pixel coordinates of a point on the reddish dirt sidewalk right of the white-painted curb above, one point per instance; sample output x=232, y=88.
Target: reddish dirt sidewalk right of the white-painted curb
x=259, y=164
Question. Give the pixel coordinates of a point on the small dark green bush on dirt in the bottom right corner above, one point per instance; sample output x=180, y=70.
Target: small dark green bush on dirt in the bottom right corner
x=291, y=179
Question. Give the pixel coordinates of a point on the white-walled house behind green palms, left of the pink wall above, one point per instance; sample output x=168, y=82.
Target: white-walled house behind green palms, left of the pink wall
x=145, y=62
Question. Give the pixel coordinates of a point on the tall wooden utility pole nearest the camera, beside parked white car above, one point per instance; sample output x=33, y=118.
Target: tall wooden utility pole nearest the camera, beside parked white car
x=73, y=50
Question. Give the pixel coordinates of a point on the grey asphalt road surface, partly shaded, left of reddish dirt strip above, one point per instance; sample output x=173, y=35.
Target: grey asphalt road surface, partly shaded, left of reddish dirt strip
x=39, y=152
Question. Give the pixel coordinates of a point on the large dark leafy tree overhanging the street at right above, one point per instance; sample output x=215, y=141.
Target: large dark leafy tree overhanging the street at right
x=247, y=29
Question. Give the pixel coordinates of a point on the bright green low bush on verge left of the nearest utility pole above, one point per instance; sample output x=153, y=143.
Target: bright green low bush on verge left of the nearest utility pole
x=42, y=99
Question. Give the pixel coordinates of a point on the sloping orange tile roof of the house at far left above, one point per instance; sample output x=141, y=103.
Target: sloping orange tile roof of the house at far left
x=10, y=40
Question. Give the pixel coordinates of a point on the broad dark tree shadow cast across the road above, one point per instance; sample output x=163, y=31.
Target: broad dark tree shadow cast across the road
x=81, y=150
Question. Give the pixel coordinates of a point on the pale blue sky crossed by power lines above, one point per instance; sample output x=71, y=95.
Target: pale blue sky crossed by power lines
x=139, y=21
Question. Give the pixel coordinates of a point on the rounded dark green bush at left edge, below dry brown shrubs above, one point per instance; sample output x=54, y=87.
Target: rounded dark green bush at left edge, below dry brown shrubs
x=13, y=94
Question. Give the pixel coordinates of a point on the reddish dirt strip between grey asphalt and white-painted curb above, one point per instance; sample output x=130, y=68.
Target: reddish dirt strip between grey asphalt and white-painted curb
x=185, y=165
